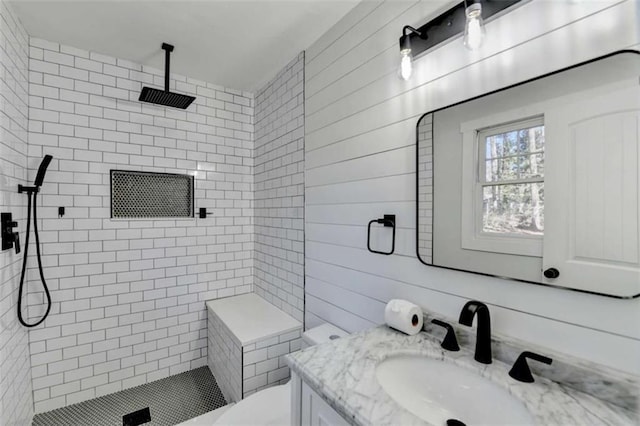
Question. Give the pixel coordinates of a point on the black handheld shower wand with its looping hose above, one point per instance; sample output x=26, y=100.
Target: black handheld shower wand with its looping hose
x=33, y=190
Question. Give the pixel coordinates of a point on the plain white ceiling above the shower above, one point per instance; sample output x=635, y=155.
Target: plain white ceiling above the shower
x=239, y=44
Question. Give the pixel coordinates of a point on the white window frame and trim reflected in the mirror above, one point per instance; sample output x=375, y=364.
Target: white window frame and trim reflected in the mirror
x=473, y=237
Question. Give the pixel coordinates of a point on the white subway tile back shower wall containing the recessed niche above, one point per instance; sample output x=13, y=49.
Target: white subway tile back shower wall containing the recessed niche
x=129, y=294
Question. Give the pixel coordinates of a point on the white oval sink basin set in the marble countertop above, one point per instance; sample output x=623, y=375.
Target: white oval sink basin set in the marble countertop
x=437, y=391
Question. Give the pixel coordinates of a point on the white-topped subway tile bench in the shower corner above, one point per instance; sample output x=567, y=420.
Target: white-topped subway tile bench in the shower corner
x=247, y=340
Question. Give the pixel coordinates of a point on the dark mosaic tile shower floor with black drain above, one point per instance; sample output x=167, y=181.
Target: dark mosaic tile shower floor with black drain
x=171, y=401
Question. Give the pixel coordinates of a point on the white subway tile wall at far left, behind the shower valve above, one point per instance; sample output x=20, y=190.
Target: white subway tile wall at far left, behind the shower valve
x=16, y=401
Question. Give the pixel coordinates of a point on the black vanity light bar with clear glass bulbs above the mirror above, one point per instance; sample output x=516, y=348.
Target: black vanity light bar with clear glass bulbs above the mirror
x=466, y=16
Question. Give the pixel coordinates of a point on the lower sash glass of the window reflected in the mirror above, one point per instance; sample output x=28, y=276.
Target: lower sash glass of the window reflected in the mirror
x=513, y=209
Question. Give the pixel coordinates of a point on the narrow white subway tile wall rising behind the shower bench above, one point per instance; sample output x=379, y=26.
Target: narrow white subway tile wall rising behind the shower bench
x=279, y=185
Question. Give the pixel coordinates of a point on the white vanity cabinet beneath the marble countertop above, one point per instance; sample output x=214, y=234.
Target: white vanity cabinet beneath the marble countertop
x=309, y=409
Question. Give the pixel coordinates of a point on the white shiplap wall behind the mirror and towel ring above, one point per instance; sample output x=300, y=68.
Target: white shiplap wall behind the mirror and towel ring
x=360, y=164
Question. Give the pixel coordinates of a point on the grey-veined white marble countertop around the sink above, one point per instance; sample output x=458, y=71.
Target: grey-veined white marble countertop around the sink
x=342, y=372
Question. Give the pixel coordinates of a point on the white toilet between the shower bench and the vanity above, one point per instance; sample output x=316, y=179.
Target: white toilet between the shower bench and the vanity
x=271, y=406
